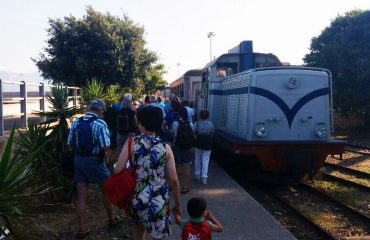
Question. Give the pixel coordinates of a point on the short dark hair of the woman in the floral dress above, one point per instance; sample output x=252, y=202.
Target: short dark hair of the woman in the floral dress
x=150, y=118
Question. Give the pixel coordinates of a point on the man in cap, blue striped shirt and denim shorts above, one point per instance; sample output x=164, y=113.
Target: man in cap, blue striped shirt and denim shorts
x=92, y=168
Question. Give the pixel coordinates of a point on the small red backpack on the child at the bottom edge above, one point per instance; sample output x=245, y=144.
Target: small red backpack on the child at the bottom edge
x=196, y=231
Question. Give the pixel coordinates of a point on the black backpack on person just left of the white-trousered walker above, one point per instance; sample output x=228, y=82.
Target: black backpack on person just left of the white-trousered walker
x=185, y=137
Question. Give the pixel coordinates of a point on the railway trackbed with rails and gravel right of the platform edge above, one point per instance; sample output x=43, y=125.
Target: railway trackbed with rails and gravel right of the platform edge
x=310, y=212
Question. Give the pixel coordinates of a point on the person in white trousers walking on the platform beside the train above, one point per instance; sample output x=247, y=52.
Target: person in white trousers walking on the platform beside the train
x=204, y=131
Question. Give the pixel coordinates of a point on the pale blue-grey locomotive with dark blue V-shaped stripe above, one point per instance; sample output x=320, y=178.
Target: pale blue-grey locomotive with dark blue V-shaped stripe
x=279, y=117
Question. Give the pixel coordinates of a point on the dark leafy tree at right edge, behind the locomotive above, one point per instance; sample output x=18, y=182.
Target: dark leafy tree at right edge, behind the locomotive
x=344, y=48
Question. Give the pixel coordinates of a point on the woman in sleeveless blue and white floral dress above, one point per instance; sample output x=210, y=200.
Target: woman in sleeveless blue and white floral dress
x=151, y=157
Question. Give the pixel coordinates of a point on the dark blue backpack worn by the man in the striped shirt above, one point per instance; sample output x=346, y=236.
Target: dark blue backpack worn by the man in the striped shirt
x=82, y=138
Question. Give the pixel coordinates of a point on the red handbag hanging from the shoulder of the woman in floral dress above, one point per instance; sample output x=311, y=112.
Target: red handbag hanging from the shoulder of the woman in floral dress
x=120, y=187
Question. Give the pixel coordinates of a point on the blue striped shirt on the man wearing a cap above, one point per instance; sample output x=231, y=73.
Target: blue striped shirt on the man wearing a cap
x=100, y=133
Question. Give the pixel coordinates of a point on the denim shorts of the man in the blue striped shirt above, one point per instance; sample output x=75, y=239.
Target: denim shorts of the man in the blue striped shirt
x=88, y=169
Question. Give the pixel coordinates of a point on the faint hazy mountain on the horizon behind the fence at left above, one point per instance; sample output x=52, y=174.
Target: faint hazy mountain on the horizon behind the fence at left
x=34, y=77
